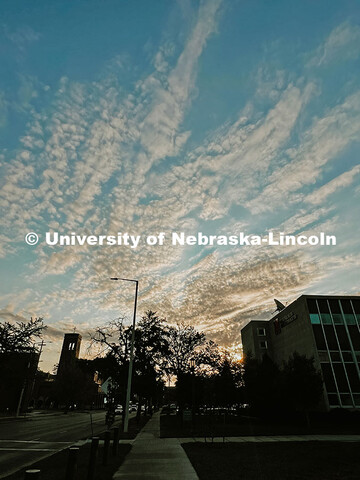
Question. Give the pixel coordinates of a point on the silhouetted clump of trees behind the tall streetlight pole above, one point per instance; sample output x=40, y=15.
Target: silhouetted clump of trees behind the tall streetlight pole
x=161, y=350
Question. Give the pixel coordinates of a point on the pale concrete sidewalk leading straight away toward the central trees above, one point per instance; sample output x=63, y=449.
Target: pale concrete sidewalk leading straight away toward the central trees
x=152, y=457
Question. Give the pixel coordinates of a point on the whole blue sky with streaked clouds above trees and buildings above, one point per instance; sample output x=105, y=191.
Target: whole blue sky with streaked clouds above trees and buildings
x=214, y=116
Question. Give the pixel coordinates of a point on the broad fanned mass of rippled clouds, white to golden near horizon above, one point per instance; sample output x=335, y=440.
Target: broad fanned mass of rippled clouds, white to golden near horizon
x=103, y=157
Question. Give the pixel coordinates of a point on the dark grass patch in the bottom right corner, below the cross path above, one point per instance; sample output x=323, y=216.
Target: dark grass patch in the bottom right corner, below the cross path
x=275, y=461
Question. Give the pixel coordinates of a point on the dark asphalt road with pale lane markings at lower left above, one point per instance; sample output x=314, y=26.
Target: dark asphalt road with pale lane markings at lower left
x=24, y=441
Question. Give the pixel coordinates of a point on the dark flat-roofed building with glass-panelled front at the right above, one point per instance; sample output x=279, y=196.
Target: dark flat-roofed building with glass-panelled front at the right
x=326, y=328
